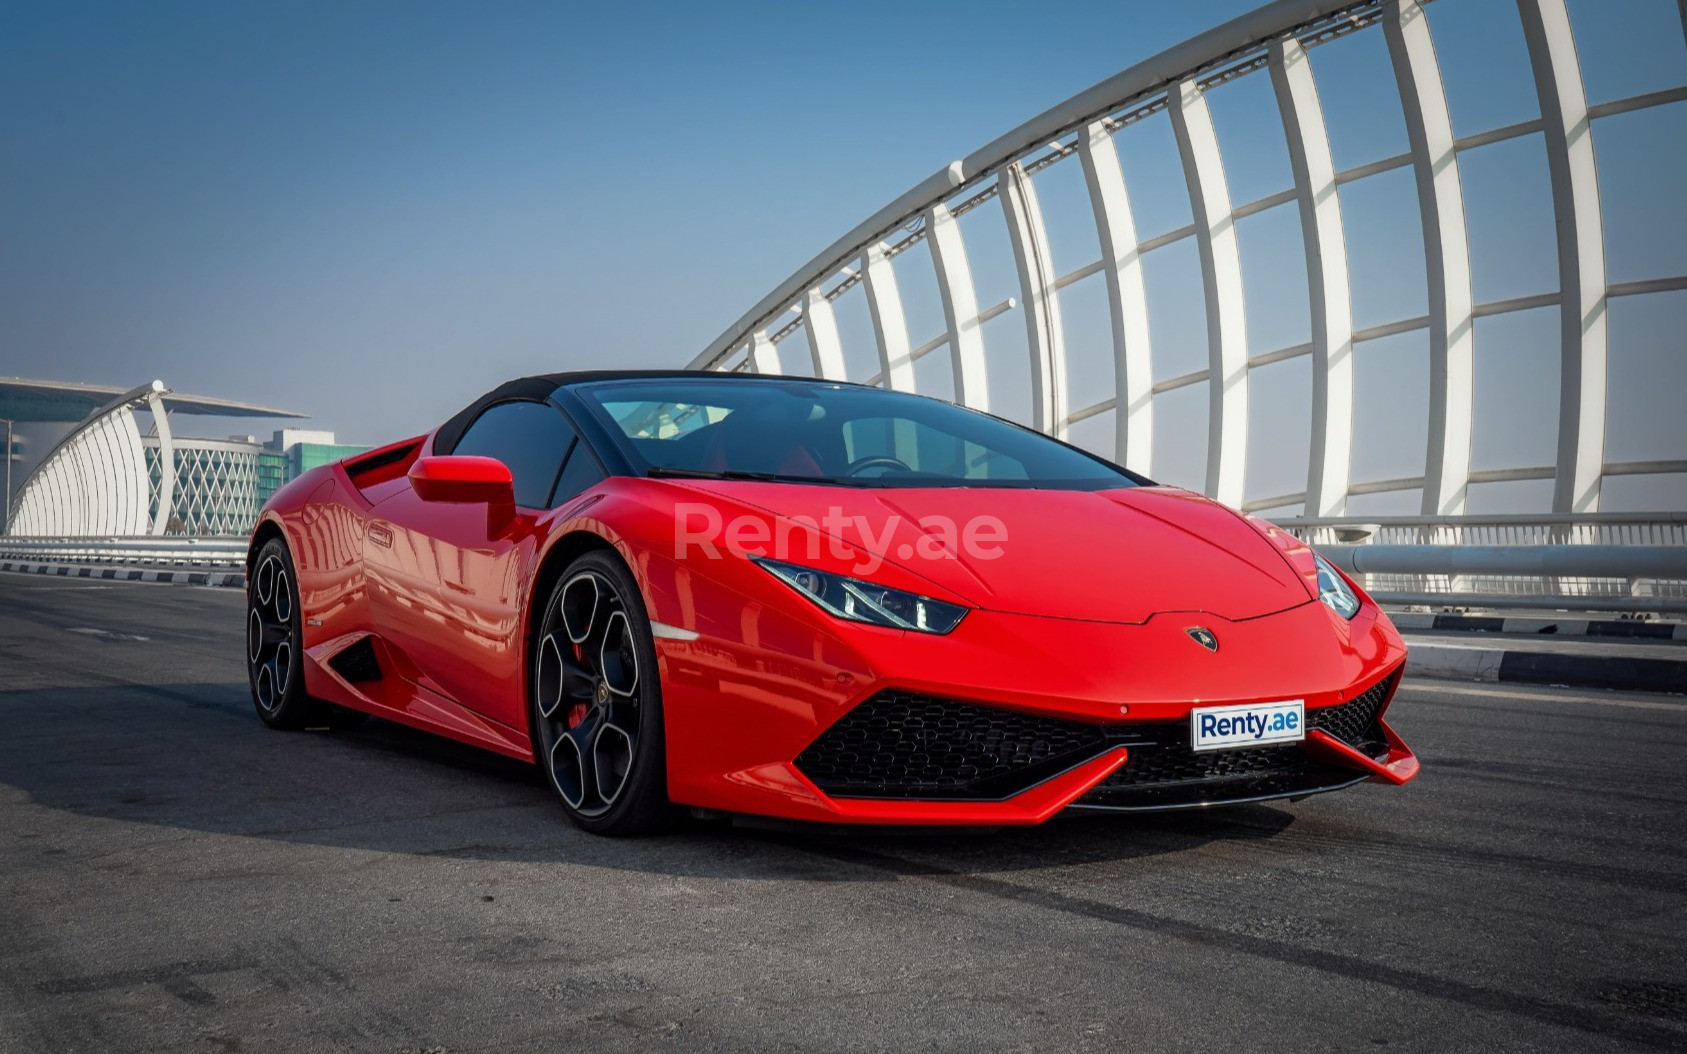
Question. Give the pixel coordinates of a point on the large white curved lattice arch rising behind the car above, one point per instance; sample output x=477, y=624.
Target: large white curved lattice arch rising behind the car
x=1271, y=43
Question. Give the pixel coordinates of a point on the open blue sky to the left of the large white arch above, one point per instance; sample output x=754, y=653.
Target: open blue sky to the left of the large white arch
x=374, y=212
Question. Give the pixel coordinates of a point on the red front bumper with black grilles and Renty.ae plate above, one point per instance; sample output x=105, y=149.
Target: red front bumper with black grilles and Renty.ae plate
x=1015, y=719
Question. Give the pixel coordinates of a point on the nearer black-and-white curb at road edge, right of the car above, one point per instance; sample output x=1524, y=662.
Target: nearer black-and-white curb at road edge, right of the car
x=1543, y=669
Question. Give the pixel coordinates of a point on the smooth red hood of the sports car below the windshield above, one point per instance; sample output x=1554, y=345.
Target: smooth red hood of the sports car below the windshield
x=1101, y=556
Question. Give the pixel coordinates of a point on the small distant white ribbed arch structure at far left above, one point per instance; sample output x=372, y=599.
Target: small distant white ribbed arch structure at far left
x=95, y=481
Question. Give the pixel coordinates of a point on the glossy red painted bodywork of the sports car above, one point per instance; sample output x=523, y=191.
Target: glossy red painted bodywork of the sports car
x=1082, y=618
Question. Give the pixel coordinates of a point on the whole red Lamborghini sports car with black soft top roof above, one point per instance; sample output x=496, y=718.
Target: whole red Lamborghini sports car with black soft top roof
x=814, y=601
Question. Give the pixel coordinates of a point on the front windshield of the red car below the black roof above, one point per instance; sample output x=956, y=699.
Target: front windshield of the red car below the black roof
x=839, y=434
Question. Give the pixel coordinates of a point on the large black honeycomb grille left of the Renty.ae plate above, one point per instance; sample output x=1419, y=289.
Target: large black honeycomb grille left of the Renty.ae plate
x=915, y=746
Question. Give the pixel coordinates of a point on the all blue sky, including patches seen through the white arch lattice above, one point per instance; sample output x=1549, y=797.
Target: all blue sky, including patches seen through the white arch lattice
x=375, y=212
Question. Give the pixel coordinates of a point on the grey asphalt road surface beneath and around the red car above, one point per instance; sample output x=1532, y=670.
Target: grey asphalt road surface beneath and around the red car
x=178, y=878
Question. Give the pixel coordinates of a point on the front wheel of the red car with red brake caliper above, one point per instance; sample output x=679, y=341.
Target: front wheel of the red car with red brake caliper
x=595, y=702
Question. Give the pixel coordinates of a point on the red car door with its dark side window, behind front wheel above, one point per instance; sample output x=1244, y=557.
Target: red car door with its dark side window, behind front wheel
x=446, y=581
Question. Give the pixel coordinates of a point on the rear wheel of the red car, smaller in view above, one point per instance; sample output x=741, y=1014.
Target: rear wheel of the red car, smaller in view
x=274, y=643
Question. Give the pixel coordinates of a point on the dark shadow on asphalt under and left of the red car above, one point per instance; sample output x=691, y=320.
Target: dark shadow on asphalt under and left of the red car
x=197, y=758
